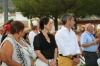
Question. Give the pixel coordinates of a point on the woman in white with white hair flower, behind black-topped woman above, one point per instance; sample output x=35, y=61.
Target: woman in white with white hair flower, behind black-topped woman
x=34, y=32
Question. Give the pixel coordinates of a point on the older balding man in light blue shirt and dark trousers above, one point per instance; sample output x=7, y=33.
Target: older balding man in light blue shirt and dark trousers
x=89, y=44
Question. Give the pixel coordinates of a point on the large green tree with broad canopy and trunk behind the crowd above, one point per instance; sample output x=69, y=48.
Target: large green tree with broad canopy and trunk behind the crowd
x=55, y=8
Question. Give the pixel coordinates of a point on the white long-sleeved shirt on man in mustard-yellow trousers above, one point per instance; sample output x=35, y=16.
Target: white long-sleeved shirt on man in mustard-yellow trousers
x=67, y=42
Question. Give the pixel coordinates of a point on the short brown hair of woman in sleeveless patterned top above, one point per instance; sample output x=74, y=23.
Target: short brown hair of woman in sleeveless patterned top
x=16, y=27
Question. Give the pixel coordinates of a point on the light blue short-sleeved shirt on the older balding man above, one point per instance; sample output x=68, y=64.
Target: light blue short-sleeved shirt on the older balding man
x=86, y=38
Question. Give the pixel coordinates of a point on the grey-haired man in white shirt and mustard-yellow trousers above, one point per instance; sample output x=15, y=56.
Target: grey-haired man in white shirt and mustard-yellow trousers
x=67, y=43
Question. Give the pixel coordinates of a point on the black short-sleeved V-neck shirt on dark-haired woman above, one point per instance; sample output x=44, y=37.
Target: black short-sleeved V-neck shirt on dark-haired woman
x=46, y=48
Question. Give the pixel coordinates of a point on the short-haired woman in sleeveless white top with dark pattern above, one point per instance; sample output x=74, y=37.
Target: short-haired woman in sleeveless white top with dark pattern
x=14, y=50
